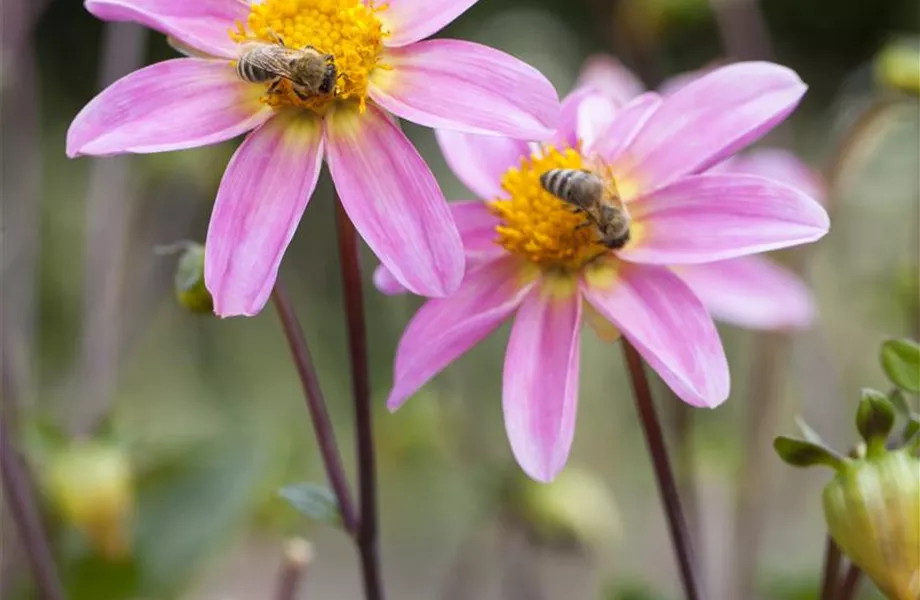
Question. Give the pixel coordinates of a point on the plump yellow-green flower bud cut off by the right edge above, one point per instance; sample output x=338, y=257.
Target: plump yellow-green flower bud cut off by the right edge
x=872, y=509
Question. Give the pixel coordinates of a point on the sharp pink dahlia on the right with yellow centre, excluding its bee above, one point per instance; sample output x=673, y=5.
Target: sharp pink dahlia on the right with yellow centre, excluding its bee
x=528, y=257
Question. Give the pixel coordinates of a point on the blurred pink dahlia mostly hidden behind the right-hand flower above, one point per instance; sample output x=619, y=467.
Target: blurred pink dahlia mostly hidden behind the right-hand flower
x=750, y=291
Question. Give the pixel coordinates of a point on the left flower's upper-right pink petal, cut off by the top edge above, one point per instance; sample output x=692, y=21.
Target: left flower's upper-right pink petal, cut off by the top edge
x=412, y=20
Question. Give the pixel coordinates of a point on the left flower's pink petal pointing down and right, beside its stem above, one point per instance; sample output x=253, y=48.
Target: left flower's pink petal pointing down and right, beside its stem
x=394, y=201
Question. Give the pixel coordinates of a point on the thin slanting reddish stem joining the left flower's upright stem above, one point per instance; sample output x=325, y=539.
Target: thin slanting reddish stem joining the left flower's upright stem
x=322, y=425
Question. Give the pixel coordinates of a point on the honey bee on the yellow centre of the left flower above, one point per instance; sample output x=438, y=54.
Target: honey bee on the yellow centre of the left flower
x=310, y=72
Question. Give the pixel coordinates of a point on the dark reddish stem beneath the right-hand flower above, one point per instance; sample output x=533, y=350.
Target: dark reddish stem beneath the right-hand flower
x=654, y=438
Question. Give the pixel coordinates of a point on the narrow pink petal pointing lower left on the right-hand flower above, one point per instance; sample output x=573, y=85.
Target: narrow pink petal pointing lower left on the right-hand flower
x=445, y=328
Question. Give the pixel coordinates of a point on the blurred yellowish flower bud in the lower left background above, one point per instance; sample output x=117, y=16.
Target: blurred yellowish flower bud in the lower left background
x=90, y=485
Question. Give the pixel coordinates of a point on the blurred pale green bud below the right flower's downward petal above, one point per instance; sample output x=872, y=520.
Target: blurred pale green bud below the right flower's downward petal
x=576, y=508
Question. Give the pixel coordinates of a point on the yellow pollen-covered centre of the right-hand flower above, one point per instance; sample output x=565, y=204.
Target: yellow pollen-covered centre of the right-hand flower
x=536, y=224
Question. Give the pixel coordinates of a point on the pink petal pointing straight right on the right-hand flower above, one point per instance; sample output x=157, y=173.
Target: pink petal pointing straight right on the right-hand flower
x=705, y=218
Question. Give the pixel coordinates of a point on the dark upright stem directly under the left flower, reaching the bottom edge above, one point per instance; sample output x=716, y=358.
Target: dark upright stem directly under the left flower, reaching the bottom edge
x=360, y=376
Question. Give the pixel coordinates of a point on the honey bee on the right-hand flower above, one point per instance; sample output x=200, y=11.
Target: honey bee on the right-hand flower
x=587, y=193
